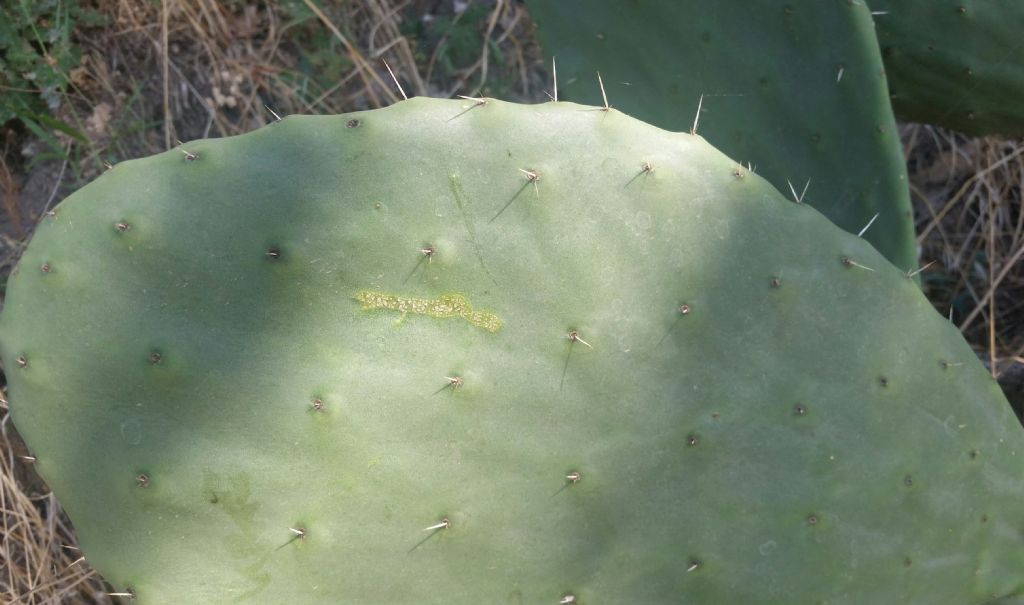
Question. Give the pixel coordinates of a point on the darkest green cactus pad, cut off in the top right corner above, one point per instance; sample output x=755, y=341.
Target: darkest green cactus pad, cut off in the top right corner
x=959, y=64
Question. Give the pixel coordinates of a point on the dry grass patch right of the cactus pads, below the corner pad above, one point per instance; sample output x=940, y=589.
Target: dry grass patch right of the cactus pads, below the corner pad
x=971, y=226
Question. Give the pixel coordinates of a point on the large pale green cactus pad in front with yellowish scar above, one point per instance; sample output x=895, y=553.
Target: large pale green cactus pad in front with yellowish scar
x=462, y=353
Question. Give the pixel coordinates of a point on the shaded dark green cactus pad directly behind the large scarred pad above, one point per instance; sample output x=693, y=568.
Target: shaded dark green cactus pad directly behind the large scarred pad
x=796, y=89
